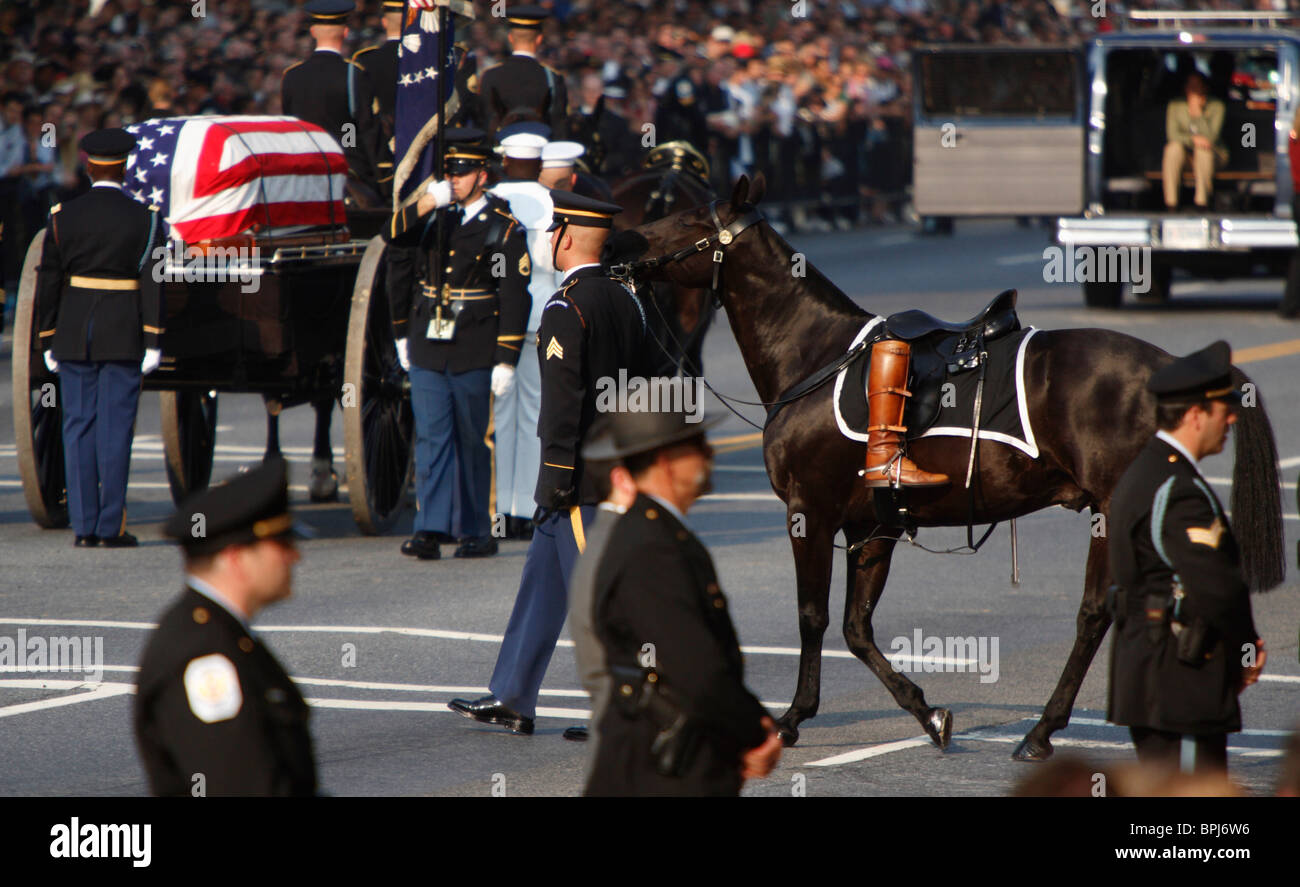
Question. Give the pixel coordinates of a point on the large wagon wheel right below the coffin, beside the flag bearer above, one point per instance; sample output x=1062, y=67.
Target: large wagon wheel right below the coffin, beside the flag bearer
x=379, y=429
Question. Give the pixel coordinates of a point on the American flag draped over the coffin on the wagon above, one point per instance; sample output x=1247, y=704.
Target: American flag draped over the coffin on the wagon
x=222, y=176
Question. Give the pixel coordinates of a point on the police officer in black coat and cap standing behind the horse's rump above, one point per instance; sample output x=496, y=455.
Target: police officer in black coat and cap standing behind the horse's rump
x=1185, y=639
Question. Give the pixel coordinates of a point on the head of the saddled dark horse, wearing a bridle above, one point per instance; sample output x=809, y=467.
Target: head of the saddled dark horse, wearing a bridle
x=681, y=248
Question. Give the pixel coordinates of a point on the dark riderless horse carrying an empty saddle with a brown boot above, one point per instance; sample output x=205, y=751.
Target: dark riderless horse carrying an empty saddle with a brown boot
x=1089, y=406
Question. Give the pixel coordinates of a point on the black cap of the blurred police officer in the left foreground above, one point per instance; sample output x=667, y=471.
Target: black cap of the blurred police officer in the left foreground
x=246, y=509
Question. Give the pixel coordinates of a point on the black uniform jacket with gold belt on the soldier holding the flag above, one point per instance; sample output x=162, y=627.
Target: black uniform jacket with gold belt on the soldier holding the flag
x=493, y=311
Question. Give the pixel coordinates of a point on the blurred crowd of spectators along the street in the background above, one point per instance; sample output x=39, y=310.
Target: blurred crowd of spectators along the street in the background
x=814, y=93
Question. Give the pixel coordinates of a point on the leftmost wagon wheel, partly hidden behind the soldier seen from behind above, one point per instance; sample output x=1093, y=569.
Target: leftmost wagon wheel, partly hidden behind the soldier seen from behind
x=38, y=418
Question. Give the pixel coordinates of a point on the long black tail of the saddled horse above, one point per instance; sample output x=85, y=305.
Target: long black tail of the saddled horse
x=1256, y=492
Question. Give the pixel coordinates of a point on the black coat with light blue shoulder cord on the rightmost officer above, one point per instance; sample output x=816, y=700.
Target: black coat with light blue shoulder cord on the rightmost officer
x=1165, y=520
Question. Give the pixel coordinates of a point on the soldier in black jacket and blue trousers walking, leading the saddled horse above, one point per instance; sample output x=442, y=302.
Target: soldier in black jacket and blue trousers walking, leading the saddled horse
x=591, y=330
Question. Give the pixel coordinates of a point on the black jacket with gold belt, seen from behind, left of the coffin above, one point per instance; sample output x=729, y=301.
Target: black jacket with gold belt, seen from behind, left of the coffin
x=97, y=293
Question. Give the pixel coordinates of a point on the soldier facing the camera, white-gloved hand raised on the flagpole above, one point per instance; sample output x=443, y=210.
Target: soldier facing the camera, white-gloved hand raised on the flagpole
x=460, y=310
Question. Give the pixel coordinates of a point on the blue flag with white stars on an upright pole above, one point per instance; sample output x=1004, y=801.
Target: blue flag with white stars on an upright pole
x=419, y=76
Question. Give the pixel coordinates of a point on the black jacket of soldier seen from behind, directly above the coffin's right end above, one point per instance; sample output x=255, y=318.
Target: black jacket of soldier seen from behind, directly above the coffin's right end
x=317, y=90
